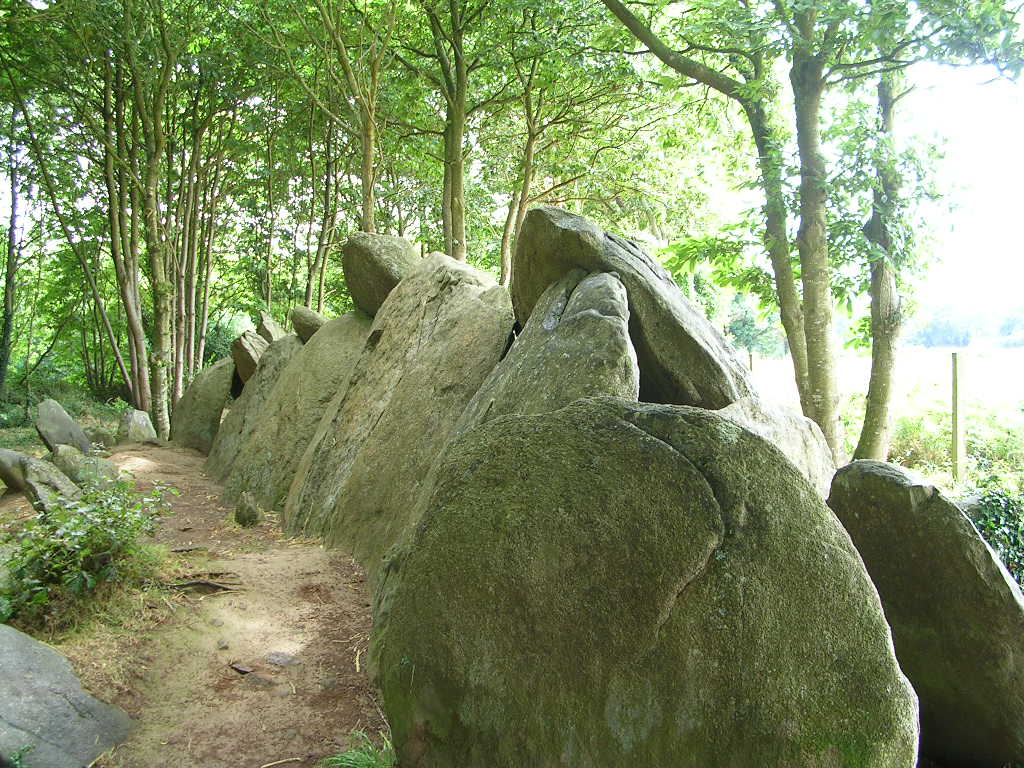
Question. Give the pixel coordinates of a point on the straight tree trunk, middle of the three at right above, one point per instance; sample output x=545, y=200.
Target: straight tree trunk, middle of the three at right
x=806, y=77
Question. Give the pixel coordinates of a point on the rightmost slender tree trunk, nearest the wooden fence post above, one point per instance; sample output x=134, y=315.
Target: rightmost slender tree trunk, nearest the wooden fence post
x=886, y=307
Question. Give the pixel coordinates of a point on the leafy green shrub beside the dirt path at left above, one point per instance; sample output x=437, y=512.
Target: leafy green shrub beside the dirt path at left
x=64, y=557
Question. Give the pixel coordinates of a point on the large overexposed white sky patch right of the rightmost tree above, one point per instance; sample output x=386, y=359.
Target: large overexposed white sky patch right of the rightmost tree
x=978, y=246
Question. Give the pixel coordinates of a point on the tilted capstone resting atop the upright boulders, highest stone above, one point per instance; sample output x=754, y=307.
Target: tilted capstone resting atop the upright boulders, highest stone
x=684, y=359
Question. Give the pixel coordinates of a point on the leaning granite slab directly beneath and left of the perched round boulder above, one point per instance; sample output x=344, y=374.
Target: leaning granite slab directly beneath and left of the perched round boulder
x=313, y=383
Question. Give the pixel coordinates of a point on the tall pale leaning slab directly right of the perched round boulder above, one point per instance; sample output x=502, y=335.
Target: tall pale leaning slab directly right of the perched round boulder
x=434, y=343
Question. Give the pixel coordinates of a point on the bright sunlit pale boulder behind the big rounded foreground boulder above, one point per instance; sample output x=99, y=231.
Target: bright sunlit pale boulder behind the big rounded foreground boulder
x=798, y=438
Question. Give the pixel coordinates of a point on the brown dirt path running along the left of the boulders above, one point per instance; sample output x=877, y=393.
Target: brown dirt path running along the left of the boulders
x=300, y=620
